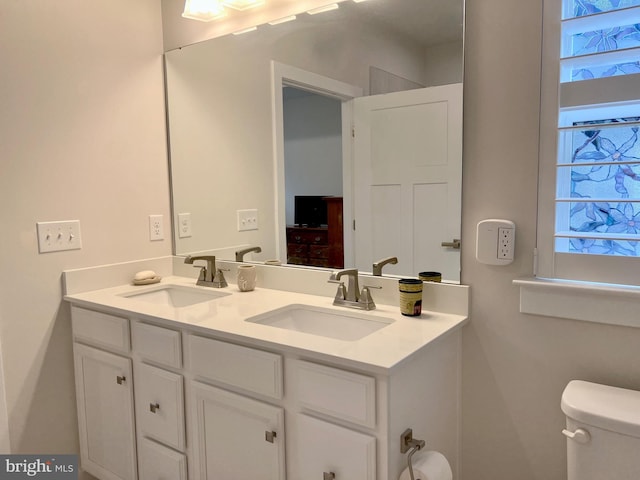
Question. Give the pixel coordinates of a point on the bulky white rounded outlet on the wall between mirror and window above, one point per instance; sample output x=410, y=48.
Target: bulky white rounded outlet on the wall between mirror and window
x=495, y=242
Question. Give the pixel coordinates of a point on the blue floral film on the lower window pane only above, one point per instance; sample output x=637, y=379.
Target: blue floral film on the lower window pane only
x=598, y=197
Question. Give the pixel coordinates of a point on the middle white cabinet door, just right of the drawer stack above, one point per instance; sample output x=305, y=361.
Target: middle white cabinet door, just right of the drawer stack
x=235, y=437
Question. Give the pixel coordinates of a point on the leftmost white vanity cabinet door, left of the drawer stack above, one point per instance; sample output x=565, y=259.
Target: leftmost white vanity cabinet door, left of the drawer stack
x=104, y=392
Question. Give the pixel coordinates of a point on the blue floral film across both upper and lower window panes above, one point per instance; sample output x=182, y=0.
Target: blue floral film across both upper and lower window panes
x=598, y=168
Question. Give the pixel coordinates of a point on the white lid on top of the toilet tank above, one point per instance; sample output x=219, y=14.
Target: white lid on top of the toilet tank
x=610, y=408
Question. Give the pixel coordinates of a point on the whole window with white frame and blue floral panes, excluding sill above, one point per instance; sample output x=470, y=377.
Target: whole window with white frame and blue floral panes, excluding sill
x=590, y=150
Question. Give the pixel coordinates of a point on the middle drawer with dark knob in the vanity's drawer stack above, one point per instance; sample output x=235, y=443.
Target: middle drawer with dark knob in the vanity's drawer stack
x=160, y=404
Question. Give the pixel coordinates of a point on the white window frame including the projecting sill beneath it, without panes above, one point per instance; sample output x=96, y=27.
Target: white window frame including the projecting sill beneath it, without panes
x=593, y=288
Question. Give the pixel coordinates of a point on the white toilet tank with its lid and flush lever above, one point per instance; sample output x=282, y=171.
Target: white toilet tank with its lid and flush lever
x=603, y=432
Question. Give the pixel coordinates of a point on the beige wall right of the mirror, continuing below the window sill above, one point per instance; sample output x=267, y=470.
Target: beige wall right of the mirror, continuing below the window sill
x=515, y=366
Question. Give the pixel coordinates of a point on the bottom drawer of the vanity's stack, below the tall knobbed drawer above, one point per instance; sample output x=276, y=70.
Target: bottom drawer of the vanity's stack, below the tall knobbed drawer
x=156, y=462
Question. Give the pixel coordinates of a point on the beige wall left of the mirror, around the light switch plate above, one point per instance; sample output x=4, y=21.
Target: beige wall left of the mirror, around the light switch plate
x=82, y=135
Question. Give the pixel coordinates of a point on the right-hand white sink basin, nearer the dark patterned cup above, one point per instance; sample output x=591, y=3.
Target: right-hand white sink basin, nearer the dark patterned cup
x=323, y=322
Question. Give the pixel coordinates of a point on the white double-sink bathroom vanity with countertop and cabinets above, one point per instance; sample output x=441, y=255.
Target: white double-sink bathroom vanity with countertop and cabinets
x=185, y=382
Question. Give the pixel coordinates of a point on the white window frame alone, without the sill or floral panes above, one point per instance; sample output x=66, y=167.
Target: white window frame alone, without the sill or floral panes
x=555, y=96
